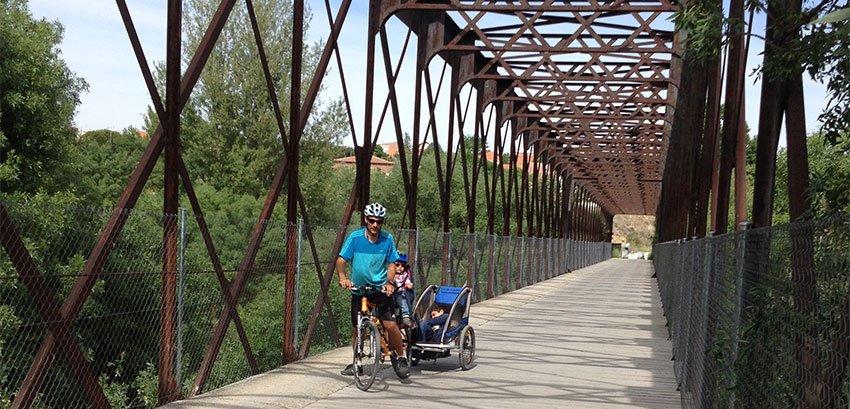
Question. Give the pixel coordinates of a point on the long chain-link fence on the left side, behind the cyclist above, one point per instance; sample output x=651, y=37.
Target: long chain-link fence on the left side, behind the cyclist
x=117, y=327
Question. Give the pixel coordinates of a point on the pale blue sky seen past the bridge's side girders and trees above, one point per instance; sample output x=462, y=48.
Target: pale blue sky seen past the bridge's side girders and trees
x=96, y=47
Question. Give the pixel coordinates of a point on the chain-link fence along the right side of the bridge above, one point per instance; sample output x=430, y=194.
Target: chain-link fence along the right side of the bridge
x=760, y=318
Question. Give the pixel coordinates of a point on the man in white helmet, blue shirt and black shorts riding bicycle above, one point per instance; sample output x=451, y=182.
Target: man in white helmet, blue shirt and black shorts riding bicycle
x=372, y=255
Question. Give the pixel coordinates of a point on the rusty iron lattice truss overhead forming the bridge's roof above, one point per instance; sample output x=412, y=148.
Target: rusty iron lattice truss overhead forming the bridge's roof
x=586, y=81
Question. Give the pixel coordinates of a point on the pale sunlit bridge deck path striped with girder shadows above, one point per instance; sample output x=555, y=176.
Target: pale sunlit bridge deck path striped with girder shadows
x=593, y=338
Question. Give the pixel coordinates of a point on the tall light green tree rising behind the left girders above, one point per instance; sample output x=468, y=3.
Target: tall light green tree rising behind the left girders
x=230, y=137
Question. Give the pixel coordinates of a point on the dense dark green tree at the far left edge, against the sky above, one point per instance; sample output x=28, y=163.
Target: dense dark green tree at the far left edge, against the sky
x=38, y=96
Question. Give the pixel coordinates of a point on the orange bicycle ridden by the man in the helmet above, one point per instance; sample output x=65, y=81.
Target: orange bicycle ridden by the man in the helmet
x=371, y=346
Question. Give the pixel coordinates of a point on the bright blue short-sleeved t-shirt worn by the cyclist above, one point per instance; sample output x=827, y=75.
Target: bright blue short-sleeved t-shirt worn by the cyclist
x=369, y=260
